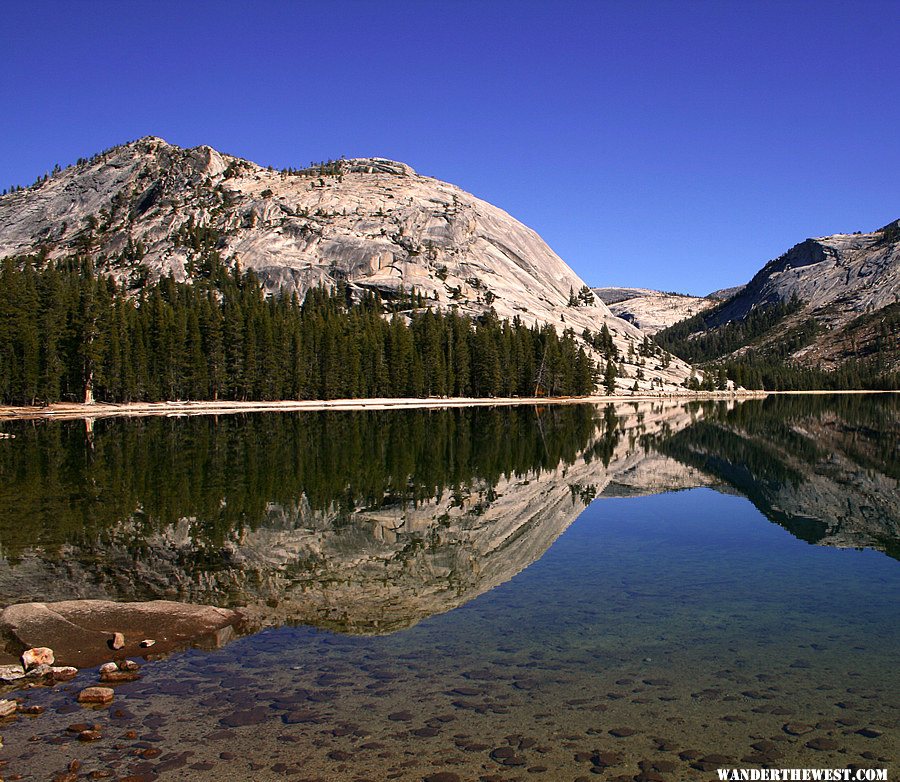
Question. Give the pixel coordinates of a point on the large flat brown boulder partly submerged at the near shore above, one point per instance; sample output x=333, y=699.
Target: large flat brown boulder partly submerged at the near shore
x=79, y=630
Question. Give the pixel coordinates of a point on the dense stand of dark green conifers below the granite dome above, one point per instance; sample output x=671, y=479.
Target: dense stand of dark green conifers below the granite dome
x=67, y=333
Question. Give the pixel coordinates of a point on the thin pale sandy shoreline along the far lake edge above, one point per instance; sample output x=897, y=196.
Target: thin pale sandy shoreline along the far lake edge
x=73, y=410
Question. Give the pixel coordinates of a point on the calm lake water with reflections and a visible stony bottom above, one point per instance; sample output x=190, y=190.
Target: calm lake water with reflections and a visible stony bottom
x=645, y=591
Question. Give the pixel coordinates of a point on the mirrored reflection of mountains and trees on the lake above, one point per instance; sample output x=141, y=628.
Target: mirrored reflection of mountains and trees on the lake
x=368, y=522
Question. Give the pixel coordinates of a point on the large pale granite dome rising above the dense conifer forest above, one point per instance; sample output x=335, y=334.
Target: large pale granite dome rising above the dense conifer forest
x=371, y=223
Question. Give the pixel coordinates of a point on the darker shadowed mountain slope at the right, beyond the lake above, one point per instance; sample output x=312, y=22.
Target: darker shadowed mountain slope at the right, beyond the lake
x=828, y=304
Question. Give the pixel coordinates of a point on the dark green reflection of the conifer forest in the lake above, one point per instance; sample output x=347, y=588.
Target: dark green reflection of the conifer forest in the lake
x=224, y=474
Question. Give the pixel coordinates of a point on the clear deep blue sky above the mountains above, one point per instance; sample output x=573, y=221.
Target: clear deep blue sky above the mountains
x=676, y=145
